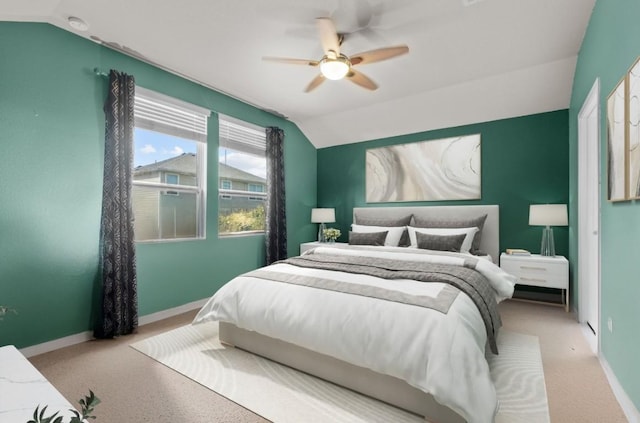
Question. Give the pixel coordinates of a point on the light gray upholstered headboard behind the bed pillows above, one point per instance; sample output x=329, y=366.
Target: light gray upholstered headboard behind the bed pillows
x=490, y=241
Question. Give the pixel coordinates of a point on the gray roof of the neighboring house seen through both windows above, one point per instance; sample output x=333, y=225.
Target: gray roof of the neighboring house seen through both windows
x=185, y=164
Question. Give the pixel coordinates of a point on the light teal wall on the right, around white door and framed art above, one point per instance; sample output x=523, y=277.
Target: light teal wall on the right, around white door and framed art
x=610, y=46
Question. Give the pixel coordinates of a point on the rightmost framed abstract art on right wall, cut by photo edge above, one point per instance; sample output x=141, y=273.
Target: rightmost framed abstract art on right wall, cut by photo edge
x=633, y=130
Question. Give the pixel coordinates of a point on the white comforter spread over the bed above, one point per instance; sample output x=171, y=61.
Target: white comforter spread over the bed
x=443, y=354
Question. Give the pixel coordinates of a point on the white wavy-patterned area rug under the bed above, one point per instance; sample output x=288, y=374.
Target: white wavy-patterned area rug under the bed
x=283, y=395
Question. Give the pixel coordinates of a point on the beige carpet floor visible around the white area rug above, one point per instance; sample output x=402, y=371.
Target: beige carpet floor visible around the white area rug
x=134, y=388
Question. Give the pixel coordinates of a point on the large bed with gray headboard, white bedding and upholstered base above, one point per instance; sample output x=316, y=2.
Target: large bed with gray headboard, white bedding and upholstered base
x=425, y=358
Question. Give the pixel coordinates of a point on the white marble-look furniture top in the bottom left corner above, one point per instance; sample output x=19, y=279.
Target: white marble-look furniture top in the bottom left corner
x=23, y=388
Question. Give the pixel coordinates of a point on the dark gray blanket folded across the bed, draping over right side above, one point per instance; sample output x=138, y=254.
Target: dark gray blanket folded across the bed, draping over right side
x=465, y=278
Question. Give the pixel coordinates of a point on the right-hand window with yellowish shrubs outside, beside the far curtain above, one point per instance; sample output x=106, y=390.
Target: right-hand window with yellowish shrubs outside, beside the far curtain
x=242, y=160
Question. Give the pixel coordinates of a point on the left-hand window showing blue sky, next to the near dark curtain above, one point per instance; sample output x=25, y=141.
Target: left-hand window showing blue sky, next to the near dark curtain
x=169, y=175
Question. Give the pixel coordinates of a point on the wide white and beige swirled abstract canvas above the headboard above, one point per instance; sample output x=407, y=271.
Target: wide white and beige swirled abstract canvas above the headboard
x=444, y=169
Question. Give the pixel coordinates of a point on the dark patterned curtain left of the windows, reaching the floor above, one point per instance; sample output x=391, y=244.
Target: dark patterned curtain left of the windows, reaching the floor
x=119, y=312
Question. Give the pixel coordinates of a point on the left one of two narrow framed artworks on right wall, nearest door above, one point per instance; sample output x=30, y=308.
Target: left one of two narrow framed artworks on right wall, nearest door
x=616, y=143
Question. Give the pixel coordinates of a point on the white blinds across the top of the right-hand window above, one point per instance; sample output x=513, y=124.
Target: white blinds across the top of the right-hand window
x=242, y=136
